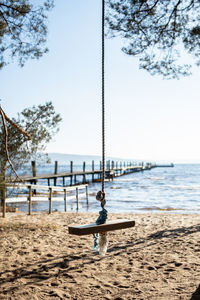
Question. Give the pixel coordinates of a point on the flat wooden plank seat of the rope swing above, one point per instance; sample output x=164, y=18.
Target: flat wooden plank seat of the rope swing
x=94, y=228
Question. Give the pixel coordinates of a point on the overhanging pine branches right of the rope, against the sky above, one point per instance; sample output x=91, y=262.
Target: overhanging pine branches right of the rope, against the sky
x=156, y=31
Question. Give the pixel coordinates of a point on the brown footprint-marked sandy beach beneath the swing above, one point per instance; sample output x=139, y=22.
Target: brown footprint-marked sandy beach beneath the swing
x=157, y=259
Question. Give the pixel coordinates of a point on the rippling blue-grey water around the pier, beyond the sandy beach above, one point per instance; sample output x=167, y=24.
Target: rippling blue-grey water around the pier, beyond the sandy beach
x=159, y=190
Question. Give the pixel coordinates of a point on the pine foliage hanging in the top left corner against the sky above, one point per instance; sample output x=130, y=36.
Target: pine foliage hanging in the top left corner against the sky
x=23, y=30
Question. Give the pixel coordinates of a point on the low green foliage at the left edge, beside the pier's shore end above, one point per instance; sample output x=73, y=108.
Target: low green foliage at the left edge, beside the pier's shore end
x=41, y=122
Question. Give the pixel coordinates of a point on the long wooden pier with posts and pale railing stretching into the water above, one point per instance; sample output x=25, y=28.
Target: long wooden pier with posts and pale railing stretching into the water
x=30, y=182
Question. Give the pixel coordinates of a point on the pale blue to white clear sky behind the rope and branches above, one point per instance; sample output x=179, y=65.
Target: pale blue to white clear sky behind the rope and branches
x=146, y=117
